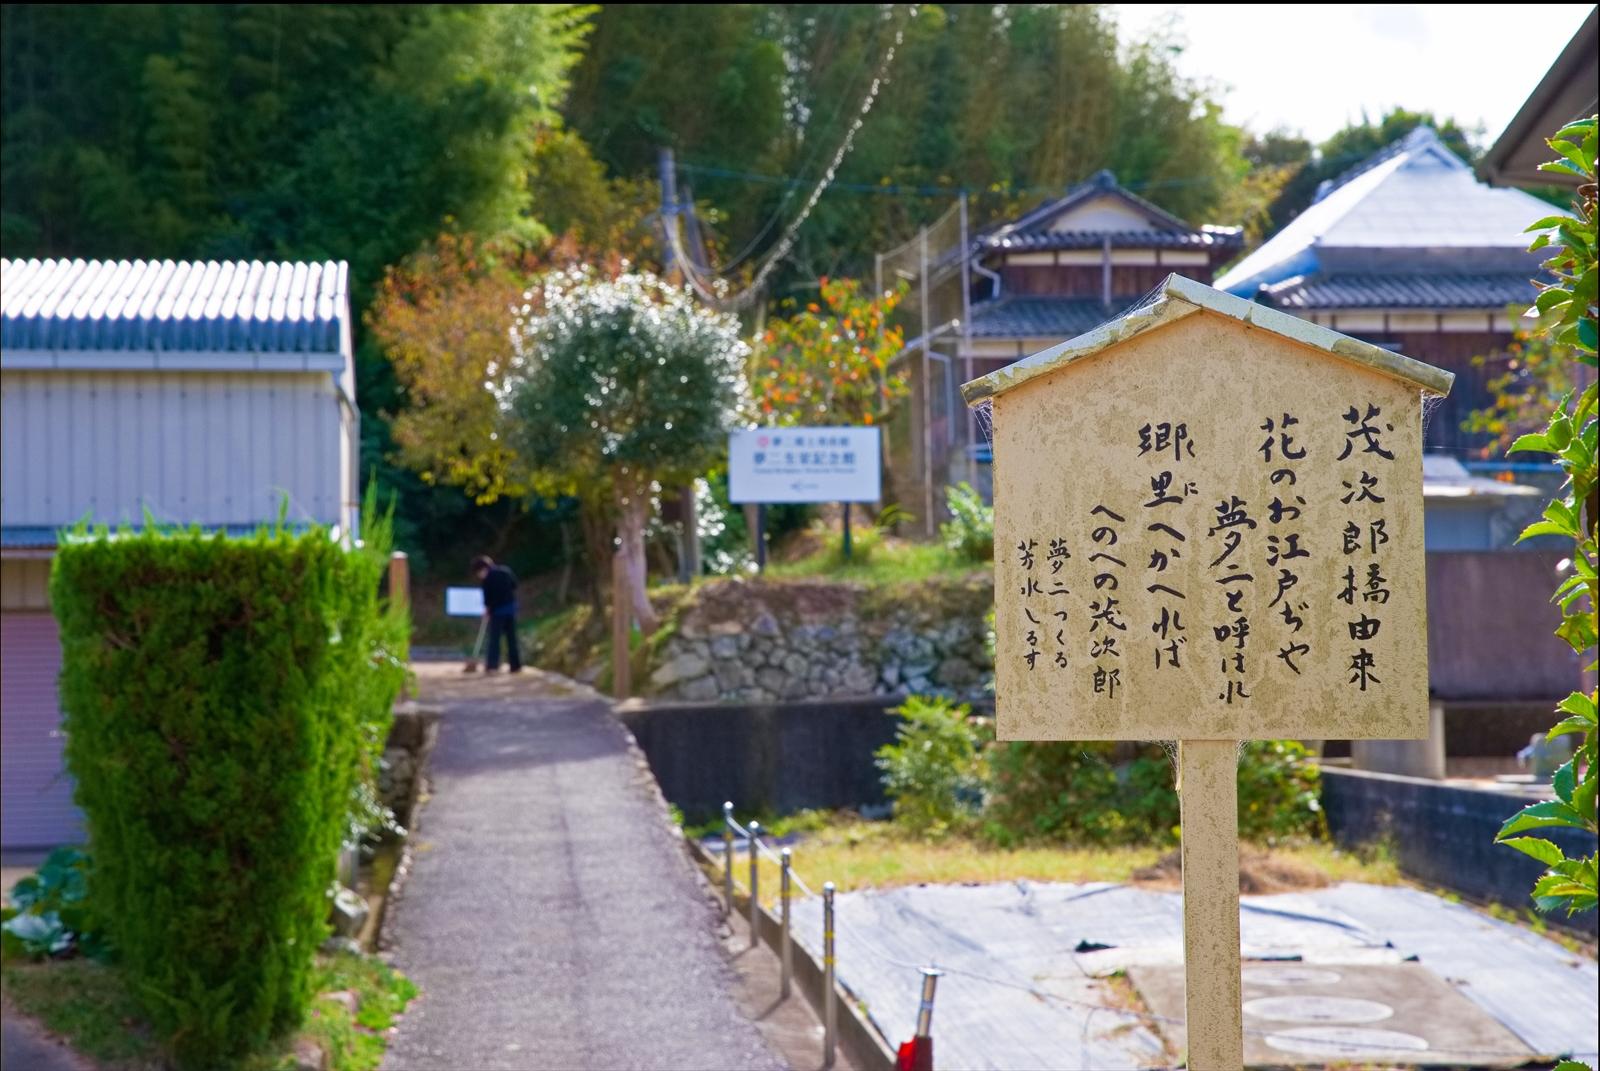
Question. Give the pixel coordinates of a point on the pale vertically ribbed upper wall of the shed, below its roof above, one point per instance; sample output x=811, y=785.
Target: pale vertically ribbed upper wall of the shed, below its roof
x=194, y=447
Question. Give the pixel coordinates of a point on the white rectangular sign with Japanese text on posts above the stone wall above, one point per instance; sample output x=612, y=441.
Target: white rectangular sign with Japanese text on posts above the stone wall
x=806, y=465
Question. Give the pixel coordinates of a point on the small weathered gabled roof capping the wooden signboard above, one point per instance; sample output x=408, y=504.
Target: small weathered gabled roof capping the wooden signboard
x=1182, y=297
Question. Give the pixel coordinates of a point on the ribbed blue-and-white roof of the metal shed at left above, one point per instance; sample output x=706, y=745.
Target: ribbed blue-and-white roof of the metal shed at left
x=175, y=307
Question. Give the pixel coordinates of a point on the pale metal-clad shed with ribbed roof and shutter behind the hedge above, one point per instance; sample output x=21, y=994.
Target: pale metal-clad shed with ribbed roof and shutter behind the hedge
x=204, y=393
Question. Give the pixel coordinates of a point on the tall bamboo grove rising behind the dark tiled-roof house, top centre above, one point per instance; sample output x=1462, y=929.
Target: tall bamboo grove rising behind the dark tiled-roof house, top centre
x=1012, y=102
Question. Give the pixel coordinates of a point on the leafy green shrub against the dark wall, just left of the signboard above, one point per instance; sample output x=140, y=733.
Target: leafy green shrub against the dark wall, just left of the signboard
x=935, y=769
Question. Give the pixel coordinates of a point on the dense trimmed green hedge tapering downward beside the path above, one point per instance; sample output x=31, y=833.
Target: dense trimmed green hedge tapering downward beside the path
x=223, y=700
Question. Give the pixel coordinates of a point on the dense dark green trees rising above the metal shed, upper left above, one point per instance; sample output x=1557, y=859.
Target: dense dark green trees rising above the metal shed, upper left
x=300, y=132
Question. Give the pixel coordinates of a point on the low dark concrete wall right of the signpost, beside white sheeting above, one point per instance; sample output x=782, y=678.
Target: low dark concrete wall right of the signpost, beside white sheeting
x=1442, y=835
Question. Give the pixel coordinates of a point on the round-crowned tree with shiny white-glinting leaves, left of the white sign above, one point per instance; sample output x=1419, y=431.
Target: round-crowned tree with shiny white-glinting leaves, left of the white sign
x=617, y=388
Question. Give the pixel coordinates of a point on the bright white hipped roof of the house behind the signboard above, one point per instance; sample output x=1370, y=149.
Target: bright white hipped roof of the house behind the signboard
x=1414, y=196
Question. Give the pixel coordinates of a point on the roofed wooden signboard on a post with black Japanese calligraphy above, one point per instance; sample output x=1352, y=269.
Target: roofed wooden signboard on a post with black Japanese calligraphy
x=1209, y=529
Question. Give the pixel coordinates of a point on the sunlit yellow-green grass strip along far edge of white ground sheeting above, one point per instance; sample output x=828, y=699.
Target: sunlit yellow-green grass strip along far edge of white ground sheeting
x=857, y=854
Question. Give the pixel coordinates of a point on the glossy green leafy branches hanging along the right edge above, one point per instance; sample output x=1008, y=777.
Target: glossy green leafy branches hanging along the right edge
x=1569, y=318
